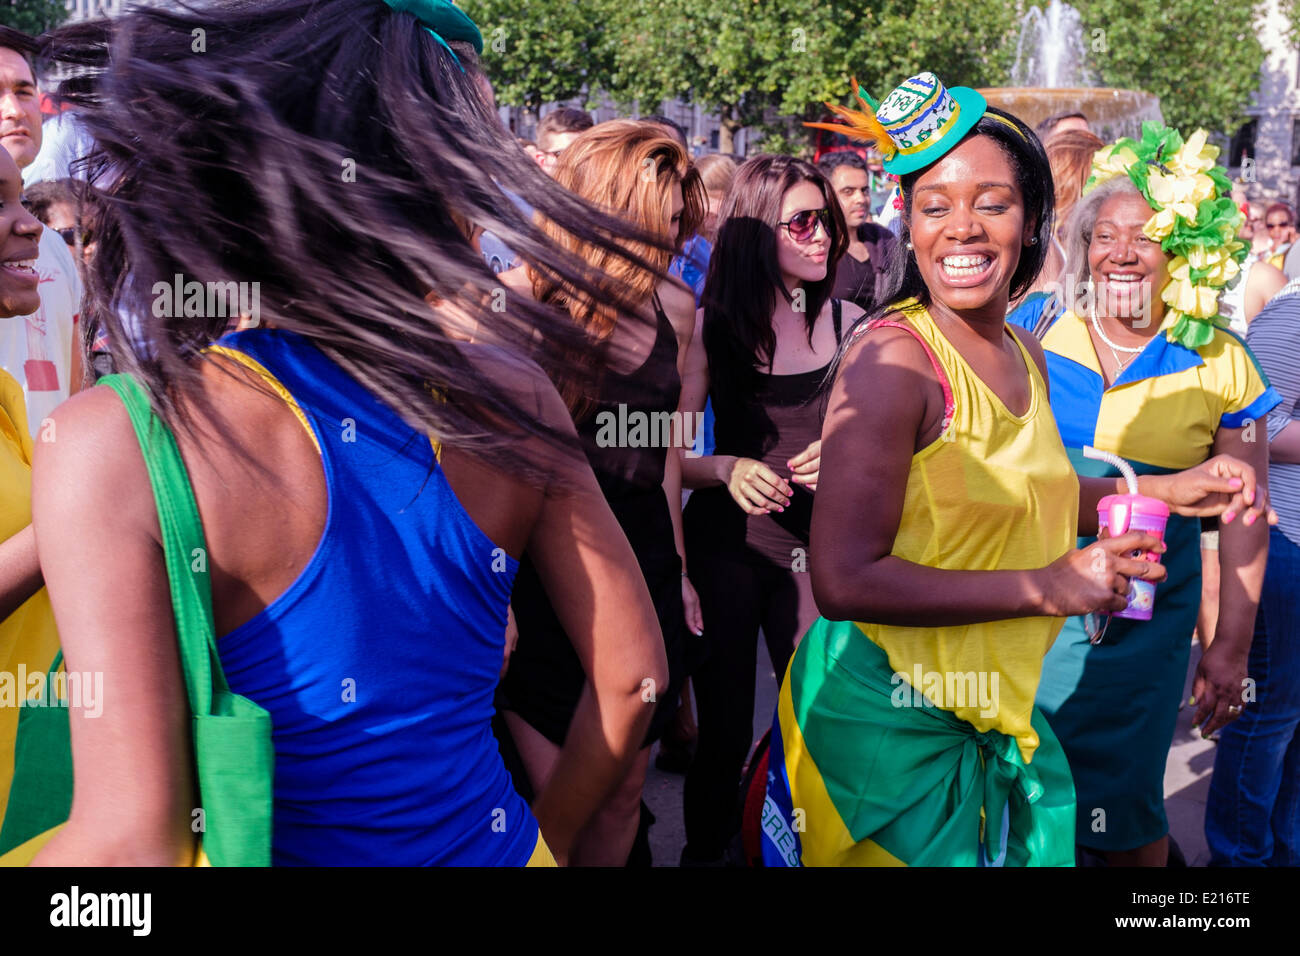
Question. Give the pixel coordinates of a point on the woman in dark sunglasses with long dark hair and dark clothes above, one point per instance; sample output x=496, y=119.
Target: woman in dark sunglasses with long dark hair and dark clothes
x=765, y=340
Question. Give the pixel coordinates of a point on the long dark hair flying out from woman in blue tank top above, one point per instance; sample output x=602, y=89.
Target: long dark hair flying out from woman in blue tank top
x=331, y=153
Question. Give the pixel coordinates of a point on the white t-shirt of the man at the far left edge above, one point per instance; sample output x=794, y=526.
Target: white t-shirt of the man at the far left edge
x=38, y=349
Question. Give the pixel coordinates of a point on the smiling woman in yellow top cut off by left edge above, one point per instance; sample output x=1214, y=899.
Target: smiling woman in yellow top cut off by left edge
x=28, y=637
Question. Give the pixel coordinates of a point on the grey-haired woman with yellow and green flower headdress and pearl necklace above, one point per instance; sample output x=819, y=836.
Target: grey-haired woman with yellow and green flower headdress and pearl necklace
x=1142, y=366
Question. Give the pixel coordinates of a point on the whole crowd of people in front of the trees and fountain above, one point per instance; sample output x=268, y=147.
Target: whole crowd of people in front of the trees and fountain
x=486, y=496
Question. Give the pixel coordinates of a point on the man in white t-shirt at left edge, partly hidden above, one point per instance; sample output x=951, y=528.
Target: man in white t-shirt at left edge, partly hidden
x=40, y=351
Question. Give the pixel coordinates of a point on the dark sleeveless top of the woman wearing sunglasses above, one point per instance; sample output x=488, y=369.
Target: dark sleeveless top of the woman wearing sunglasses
x=772, y=423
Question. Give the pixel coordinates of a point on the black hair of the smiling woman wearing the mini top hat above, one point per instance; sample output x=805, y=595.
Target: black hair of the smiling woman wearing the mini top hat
x=1034, y=179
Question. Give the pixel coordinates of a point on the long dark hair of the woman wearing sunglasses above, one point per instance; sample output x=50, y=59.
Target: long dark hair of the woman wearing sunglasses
x=744, y=272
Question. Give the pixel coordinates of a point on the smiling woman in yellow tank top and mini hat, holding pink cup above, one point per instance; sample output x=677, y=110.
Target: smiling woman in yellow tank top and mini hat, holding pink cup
x=943, y=531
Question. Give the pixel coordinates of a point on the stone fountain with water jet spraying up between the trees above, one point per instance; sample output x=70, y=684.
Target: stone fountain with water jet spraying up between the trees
x=1052, y=76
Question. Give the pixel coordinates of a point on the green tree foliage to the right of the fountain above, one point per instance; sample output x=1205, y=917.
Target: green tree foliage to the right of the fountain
x=1202, y=59
